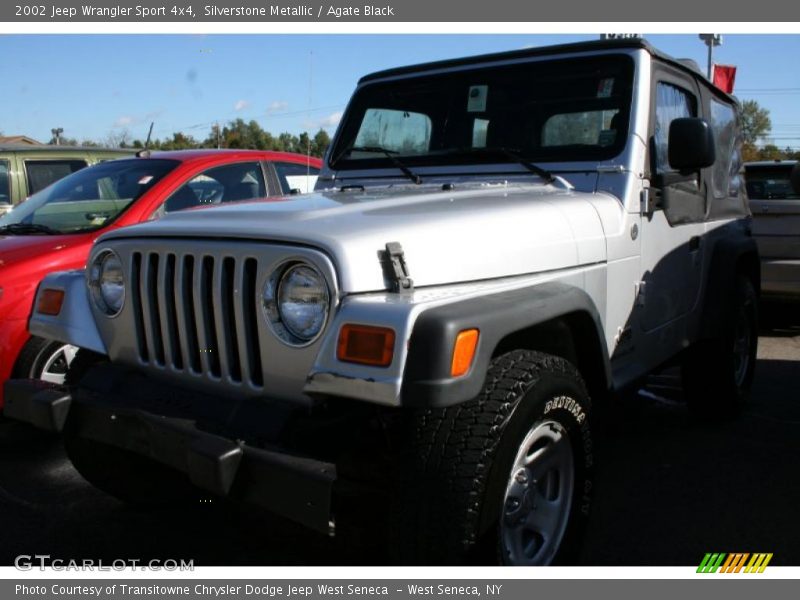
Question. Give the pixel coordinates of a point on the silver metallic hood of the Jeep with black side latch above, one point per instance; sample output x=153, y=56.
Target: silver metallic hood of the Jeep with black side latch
x=449, y=236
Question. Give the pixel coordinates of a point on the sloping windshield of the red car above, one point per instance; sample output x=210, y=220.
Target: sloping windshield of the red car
x=91, y=198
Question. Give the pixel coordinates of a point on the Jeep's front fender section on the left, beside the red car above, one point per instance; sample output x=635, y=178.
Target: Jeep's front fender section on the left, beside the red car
x=74, y=324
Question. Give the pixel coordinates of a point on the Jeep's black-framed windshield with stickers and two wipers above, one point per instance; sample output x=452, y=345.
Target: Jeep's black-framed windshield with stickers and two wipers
x=556, y=110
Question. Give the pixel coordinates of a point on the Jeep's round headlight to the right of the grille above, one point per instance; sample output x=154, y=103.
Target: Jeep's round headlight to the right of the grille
x=296, y=301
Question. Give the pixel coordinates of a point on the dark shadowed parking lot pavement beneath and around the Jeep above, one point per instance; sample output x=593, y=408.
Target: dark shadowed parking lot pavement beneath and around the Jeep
x=669, y=489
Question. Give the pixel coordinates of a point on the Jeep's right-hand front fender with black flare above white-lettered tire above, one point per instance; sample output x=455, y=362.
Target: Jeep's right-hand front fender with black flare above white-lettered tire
x=426, y=323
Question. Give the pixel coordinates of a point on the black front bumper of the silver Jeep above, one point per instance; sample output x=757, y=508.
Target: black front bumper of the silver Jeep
x=290, y=485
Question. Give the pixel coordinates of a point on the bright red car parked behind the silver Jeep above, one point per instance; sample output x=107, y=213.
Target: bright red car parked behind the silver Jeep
x=54, y=229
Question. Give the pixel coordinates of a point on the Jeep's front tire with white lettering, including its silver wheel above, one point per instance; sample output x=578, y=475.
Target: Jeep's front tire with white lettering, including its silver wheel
x=507, y=477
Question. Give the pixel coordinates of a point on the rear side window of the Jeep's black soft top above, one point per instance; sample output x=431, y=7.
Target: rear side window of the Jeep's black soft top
x=726, y=180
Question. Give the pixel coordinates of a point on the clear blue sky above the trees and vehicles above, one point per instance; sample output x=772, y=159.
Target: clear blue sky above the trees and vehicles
x=94, y=86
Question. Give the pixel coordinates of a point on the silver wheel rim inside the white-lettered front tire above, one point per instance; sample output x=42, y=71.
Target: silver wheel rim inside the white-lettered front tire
x=538, y=496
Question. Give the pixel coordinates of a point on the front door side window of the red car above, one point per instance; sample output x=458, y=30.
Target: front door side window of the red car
x=228, y=183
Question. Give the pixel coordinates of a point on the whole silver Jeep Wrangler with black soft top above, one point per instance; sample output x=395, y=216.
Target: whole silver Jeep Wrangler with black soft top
x=493, y=241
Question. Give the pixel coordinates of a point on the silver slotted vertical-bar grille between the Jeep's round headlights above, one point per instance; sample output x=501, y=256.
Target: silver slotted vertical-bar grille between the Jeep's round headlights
x=197, y=313
